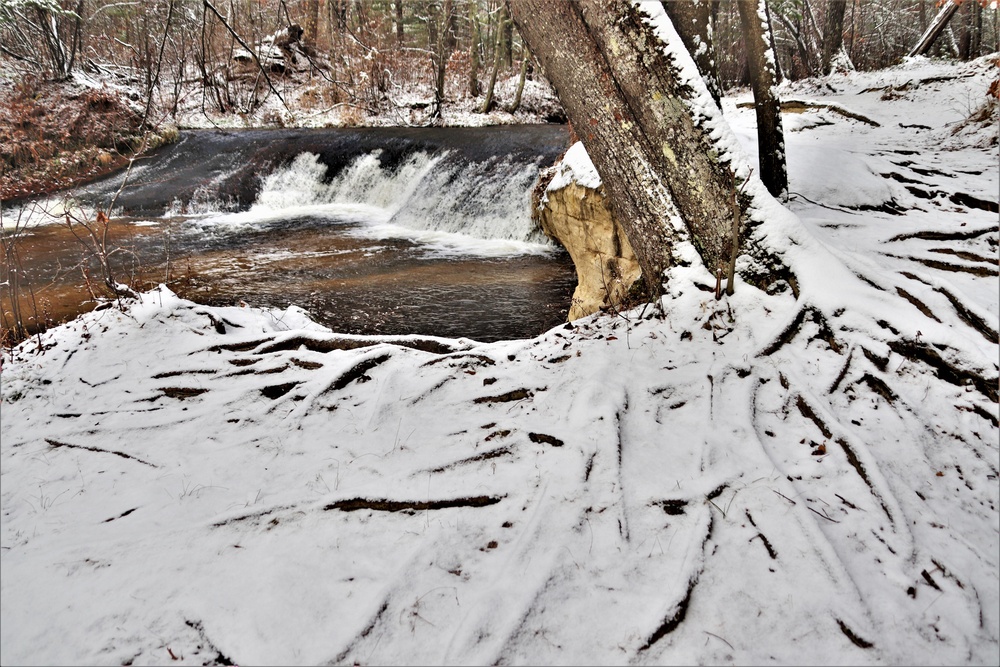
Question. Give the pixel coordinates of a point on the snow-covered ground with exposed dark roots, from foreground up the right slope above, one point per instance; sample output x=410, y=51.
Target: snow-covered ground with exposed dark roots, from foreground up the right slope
x=761, y=479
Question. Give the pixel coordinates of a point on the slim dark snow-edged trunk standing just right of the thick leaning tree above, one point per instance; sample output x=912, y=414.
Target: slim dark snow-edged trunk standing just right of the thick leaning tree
x=770, y=138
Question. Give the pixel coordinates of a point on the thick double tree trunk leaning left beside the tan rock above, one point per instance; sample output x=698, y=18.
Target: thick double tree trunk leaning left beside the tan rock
x=634, y=111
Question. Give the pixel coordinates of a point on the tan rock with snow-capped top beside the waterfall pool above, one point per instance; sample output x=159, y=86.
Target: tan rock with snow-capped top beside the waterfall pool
x=572, y=210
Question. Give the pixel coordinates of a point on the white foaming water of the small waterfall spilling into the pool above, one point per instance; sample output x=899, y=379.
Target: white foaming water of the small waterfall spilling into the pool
x=447, y=206
